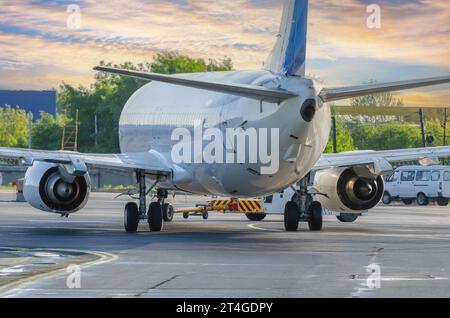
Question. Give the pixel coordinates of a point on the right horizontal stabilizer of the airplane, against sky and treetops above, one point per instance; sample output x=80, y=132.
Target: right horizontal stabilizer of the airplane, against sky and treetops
x=334, y=94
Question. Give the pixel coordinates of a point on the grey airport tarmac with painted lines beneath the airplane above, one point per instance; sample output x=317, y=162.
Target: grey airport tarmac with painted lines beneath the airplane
x=395, y=251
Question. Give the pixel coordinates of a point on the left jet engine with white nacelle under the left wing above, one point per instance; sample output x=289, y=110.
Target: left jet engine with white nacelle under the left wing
x=48, y=190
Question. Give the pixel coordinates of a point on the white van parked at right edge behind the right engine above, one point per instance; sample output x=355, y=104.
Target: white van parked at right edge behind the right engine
x=424, y=184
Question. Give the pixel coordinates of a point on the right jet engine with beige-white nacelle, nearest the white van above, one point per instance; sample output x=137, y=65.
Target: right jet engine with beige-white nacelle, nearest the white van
x=348, y=189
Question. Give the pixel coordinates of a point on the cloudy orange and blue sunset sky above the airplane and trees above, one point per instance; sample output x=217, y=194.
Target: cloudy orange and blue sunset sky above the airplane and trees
x=42, y=45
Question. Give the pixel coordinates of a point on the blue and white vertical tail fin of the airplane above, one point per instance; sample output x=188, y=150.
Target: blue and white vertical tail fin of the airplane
x=289, y=54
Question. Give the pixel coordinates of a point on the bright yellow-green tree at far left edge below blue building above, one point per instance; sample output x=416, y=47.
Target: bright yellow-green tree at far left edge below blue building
x=13, y=127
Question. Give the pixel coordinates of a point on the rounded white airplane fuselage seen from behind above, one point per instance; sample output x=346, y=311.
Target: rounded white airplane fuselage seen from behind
x=157, y=109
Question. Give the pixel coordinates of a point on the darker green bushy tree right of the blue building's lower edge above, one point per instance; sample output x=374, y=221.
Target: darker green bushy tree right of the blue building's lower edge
x=47, y=132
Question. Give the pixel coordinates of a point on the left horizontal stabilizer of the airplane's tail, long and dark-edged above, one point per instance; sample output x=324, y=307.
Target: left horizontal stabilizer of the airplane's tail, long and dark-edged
x=250, y=91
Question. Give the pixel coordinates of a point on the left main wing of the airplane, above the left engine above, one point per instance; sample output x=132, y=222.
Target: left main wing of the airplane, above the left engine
x=151, y=162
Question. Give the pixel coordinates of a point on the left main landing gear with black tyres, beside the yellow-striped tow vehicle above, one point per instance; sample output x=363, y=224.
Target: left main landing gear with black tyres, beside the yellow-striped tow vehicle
x=156, y=213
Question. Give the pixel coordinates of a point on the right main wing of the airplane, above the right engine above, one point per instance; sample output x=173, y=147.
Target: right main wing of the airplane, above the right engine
x=380, y=161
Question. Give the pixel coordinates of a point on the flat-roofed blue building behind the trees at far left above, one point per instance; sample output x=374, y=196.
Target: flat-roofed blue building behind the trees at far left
x=31, y=101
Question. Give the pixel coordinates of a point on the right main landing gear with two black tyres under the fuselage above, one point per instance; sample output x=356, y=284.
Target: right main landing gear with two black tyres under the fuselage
x=302, y=208
